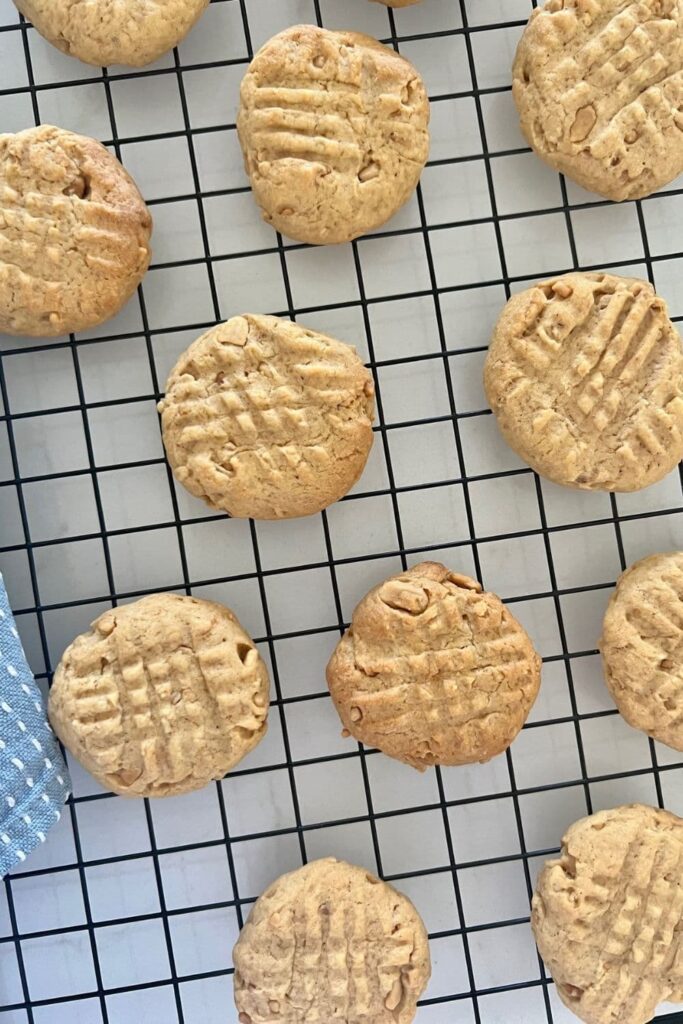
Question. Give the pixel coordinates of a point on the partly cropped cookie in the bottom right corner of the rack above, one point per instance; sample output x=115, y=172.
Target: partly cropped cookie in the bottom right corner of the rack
x=607, y=915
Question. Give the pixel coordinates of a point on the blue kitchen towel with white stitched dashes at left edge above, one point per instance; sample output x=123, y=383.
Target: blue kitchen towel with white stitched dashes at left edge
x=34, y=781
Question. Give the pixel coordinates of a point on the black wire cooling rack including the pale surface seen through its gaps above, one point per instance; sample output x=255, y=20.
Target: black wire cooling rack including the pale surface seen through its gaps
x=131, y=910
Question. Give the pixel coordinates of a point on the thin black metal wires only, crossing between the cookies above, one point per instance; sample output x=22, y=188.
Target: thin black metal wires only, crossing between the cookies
x=452, y=421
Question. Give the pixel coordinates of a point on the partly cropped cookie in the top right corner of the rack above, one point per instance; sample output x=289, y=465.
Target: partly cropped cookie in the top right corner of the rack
x=600, y=90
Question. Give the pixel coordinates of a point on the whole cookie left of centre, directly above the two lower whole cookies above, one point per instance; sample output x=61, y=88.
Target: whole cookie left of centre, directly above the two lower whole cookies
x=268, y=420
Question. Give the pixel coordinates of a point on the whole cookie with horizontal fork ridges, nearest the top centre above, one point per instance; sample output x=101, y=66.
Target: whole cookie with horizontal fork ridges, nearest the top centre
x=334, y=131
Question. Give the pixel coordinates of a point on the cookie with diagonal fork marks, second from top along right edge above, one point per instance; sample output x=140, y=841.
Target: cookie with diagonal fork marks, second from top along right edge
x=585, y=374
